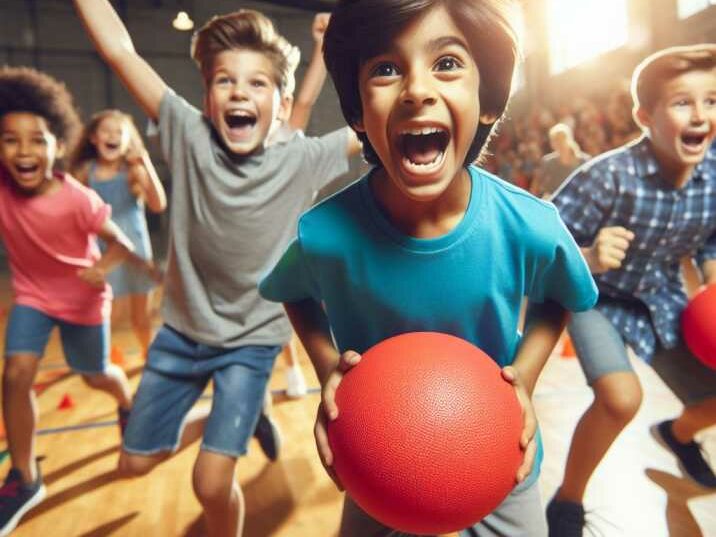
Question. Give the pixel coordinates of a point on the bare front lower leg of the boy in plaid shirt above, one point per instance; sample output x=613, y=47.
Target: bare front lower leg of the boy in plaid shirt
x=617, y=397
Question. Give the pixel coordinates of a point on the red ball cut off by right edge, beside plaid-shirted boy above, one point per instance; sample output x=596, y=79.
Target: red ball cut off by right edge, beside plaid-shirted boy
x=698, y=324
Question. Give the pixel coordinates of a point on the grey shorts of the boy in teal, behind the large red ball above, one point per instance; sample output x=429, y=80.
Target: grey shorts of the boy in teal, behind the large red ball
x=519, y=515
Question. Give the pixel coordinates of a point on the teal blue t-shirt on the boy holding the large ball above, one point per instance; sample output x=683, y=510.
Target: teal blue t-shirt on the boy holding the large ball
x=375, y=282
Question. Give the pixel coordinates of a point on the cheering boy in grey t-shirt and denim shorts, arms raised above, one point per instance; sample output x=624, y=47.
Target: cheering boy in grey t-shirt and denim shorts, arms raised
x=235, y=203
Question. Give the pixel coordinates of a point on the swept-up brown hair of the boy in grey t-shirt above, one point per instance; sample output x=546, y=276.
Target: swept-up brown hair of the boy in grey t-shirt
x=249, y=30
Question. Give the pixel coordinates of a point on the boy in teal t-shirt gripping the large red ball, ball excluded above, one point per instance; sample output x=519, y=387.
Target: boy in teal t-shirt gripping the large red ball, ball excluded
x=424, y=241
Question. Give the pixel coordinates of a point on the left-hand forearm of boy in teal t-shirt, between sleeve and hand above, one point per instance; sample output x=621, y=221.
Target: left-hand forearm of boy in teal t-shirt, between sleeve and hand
x=310, y=324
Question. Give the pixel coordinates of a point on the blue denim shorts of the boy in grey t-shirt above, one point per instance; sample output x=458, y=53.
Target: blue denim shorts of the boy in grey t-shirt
x=177, y=371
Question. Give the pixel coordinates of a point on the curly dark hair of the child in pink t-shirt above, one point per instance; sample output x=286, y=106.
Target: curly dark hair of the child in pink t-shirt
x=23, y=89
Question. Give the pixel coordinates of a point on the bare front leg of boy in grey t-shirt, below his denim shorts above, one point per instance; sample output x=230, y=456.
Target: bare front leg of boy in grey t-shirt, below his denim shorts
x=216, y=489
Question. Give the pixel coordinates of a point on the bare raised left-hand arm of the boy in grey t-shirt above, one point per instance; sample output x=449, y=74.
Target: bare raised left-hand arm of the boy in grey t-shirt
x=113, y=43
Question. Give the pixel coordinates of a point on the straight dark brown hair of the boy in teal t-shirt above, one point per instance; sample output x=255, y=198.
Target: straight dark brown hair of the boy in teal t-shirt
x=362, y=29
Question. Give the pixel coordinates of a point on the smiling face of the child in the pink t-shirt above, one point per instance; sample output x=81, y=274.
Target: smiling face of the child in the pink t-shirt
x=28, y=150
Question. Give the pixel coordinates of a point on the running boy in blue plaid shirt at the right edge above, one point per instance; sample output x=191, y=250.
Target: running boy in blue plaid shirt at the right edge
x=636, y=211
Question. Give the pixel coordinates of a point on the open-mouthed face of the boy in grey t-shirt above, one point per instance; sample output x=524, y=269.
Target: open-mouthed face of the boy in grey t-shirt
x=242, y=99
